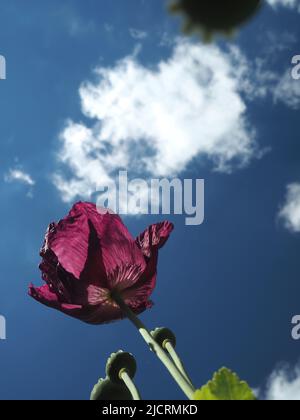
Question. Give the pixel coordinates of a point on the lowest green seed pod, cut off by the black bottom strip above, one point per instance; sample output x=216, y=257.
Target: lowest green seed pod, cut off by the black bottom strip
x=105, y=390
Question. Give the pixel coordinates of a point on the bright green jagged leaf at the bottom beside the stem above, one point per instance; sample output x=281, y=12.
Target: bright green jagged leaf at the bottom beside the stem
x=225, y=386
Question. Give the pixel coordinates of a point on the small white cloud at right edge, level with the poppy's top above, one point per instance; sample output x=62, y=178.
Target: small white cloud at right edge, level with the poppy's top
x=290, y=212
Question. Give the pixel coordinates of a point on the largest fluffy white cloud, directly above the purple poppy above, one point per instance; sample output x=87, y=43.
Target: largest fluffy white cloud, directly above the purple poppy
x=155, y=121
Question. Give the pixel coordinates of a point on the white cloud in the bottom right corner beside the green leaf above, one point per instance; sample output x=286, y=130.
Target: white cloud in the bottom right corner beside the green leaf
x=284, y=385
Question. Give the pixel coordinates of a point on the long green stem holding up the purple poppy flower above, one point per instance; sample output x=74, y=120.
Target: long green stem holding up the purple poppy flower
x=182, y=382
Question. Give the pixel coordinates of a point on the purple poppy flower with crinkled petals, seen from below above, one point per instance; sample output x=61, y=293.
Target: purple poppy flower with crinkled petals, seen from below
x=88, y=256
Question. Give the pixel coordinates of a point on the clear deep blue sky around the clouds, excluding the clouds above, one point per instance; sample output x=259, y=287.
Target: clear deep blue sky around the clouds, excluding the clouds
x=228, y=288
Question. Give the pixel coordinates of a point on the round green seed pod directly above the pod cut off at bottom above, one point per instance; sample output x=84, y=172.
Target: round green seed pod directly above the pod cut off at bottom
x=120, y=361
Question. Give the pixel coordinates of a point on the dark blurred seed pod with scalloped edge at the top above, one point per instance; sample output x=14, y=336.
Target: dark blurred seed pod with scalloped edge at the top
x=211, y=16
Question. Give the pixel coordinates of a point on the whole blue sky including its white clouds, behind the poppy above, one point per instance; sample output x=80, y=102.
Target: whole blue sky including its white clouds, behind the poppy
x=226, y=112
